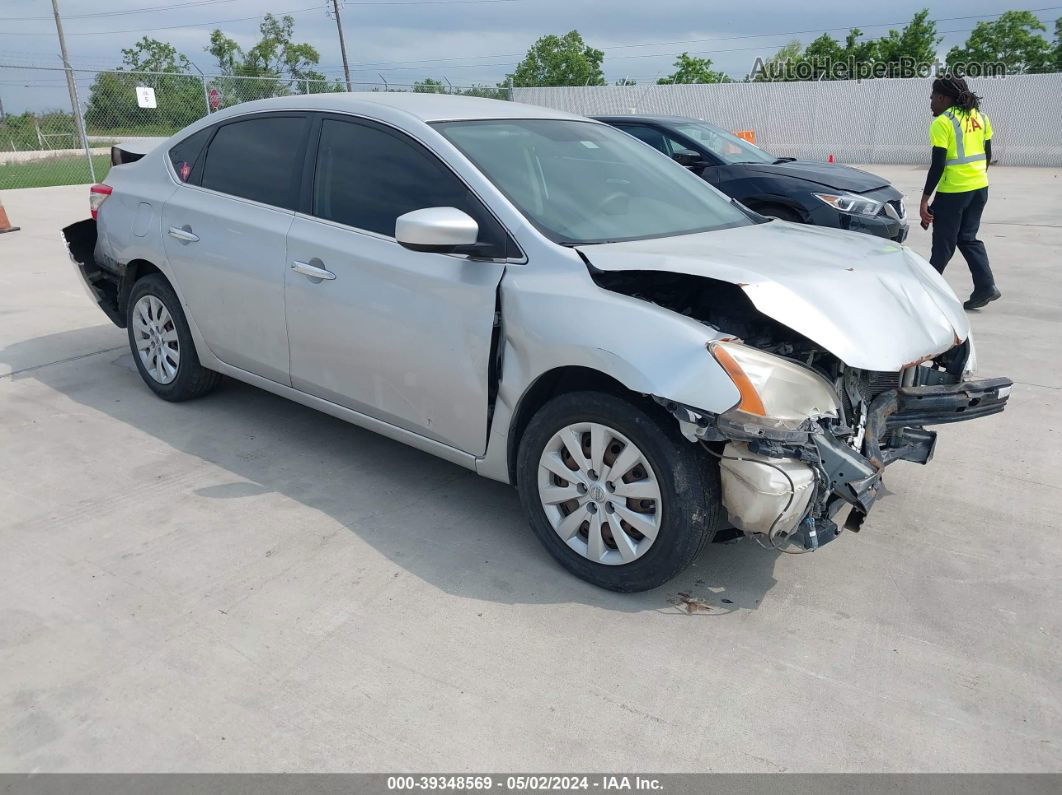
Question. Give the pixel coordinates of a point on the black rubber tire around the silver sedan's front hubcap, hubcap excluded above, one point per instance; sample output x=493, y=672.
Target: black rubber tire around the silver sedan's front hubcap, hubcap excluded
x=689, y=480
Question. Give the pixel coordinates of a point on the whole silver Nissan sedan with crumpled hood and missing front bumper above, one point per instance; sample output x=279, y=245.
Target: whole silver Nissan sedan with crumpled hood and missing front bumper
x=541, y=299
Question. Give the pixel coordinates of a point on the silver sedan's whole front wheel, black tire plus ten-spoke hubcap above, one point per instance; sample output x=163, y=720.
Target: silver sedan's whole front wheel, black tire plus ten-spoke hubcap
x=615, y=494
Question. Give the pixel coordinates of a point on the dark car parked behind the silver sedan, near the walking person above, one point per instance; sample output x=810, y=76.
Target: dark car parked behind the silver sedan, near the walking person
x=807, y=192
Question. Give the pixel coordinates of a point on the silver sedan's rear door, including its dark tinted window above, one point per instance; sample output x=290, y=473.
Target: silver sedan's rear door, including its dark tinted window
x=226, y=231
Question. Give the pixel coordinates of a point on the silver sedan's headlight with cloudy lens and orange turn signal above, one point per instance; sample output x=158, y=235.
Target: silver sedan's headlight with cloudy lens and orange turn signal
x=776, y=392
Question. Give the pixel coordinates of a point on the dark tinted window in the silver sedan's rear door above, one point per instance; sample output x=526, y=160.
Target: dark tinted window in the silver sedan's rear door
x=258, y=159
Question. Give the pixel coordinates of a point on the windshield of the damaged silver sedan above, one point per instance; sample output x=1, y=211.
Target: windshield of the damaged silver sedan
x=580, y=182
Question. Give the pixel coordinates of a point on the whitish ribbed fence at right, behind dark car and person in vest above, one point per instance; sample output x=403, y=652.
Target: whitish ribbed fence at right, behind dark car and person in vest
x=875, y=122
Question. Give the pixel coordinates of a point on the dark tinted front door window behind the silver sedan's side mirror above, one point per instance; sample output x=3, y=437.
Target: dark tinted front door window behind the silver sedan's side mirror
x=367, y=178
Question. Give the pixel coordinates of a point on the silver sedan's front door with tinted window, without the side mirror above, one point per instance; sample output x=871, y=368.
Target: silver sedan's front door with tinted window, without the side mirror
x=402, y=336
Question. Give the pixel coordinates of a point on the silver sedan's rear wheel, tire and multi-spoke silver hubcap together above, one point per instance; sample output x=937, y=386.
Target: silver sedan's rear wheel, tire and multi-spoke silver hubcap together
x=162, y=343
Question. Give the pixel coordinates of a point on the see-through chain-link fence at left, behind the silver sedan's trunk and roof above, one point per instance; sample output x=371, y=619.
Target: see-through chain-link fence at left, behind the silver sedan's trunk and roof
x=45, y=148
